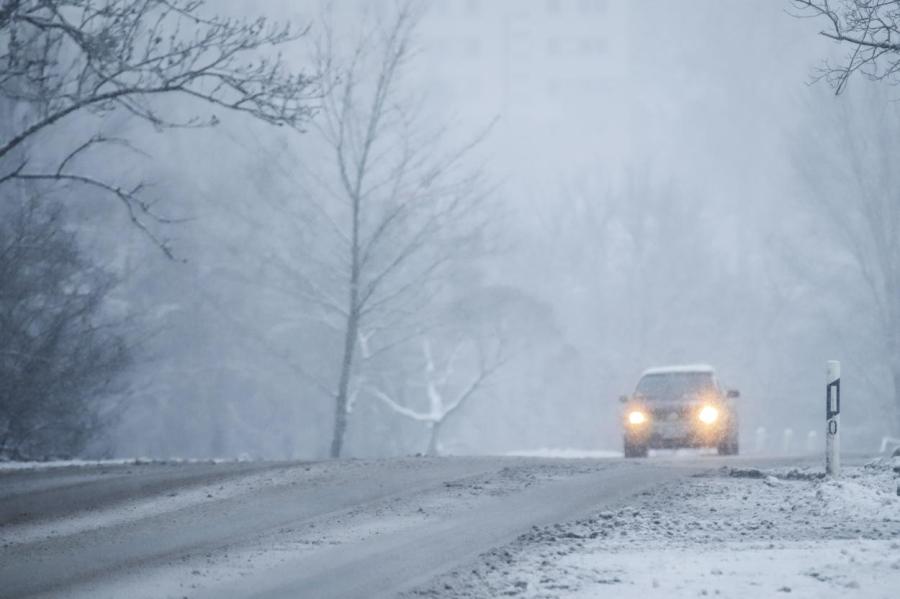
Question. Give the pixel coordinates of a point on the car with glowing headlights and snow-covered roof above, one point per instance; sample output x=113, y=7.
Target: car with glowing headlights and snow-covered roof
x=680, y=406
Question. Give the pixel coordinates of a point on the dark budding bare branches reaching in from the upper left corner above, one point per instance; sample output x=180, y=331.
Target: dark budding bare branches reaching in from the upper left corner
x=62, y=58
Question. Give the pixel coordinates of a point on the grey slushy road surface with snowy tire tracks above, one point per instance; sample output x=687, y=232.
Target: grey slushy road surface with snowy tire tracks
x=353, y=528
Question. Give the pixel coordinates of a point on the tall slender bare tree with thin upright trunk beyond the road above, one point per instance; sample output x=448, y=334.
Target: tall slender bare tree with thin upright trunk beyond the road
x=386, y=214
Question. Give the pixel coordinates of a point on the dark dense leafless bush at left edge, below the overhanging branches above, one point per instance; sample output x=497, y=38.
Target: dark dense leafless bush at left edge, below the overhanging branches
x=58, y=355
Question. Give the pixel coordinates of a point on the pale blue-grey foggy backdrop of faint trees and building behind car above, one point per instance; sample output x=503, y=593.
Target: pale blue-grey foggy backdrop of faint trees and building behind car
x=650, y=164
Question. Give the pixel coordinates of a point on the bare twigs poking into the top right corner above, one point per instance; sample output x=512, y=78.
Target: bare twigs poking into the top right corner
x=870, y=28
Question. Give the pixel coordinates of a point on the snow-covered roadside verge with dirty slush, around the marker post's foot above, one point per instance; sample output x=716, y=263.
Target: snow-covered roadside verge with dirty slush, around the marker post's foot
x=735, y=532
